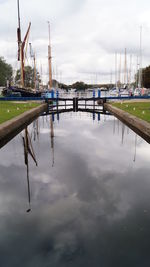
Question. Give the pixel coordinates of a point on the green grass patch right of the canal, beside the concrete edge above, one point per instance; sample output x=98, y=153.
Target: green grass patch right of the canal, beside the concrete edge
x=138, y=109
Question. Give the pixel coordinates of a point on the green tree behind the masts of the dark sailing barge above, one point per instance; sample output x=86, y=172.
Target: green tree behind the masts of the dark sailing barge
x=29, y=77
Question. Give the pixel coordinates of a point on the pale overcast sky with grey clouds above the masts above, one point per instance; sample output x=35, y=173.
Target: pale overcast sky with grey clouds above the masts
x=85, y=36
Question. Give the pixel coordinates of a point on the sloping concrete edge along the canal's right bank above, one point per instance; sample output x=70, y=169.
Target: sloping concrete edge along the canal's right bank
x=139, y=126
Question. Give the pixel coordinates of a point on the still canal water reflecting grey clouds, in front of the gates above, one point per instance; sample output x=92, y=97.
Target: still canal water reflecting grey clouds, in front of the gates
x=86, y=203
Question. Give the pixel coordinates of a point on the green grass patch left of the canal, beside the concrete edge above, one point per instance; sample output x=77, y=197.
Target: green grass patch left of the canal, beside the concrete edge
x=9, y=110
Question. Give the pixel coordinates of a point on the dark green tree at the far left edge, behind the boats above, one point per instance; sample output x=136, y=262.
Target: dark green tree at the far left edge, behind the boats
x=5, y=72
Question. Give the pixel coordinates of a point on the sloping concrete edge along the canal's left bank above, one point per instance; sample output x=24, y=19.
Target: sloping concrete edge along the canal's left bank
x=11, y=128
